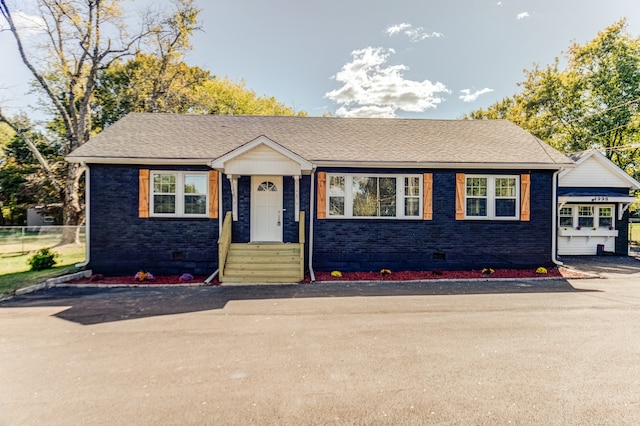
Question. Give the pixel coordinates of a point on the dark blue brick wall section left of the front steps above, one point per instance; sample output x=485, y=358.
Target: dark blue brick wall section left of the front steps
x=122, y=243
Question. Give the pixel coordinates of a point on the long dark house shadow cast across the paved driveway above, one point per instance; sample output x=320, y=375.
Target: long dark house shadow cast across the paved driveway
x=100, y=305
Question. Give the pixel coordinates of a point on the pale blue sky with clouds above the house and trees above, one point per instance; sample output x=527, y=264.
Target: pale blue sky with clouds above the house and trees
x=402, y=58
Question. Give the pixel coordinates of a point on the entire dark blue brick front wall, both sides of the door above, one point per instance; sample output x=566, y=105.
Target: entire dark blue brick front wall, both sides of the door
x=122, y=243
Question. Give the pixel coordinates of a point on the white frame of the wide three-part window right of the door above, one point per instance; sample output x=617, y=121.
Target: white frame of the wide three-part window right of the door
x=400, y=196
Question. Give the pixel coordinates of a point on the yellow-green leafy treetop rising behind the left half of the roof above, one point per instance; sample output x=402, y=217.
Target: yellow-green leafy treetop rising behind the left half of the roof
x=147, y=83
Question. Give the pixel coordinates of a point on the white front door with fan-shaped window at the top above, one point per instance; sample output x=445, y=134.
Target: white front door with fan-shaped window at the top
x=266, y=208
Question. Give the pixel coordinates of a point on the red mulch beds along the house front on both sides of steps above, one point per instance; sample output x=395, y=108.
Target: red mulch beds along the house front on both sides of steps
x=355, y=276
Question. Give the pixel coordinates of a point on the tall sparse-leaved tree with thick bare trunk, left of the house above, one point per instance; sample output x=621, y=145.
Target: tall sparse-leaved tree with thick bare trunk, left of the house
x=81, y=38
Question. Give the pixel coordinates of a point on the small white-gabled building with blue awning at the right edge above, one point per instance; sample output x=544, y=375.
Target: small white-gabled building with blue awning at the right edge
x=593, y=202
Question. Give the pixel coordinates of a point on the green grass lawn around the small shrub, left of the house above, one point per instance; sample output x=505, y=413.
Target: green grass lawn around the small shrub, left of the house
x=15, y=273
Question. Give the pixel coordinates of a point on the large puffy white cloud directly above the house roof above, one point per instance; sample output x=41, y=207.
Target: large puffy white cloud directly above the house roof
x=373, y=89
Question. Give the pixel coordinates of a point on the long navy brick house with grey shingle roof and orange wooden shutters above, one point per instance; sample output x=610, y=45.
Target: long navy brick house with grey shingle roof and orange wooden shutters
x=261, y=198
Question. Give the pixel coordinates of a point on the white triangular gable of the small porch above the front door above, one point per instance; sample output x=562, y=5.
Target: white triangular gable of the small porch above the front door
x=277, y=160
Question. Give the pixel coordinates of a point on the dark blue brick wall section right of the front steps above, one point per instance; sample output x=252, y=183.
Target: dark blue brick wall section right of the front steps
x=442, y=243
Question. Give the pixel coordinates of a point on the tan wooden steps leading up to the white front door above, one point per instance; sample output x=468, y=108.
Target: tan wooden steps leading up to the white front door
x=263, y=263
